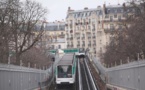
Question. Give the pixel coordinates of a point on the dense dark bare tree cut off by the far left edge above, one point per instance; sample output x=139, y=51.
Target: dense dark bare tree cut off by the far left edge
x=6, y=16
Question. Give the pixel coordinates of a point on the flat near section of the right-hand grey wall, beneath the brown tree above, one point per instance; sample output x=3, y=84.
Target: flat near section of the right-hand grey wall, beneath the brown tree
x=130, y=76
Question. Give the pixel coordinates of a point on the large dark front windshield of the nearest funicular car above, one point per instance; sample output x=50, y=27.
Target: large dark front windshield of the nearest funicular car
x=64, y=71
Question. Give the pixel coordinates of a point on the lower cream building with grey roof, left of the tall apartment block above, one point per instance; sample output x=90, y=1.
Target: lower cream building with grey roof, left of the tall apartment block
x=55, y=35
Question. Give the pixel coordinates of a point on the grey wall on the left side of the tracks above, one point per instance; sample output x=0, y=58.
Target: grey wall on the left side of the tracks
x=20, y=78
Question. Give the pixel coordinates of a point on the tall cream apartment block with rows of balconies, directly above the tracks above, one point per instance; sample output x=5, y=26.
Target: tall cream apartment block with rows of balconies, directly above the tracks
x=82, y=26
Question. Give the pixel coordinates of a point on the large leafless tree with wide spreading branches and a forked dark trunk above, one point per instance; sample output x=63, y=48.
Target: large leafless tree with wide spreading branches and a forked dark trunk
x=24, y=26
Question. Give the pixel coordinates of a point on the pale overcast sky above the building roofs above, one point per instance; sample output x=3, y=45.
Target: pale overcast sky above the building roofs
x=57, y=9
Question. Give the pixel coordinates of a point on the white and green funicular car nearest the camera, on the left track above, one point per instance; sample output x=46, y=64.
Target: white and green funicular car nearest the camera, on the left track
x=65, y=70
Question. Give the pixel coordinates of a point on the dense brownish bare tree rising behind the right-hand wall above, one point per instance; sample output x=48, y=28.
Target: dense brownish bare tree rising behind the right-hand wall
x=130, y=41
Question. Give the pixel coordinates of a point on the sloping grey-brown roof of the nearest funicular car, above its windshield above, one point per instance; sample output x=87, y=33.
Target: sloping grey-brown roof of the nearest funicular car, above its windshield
x=67, y=59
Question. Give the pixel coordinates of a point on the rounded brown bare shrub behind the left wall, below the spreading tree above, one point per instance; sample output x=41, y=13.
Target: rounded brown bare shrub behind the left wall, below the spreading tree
x=35, y=56
